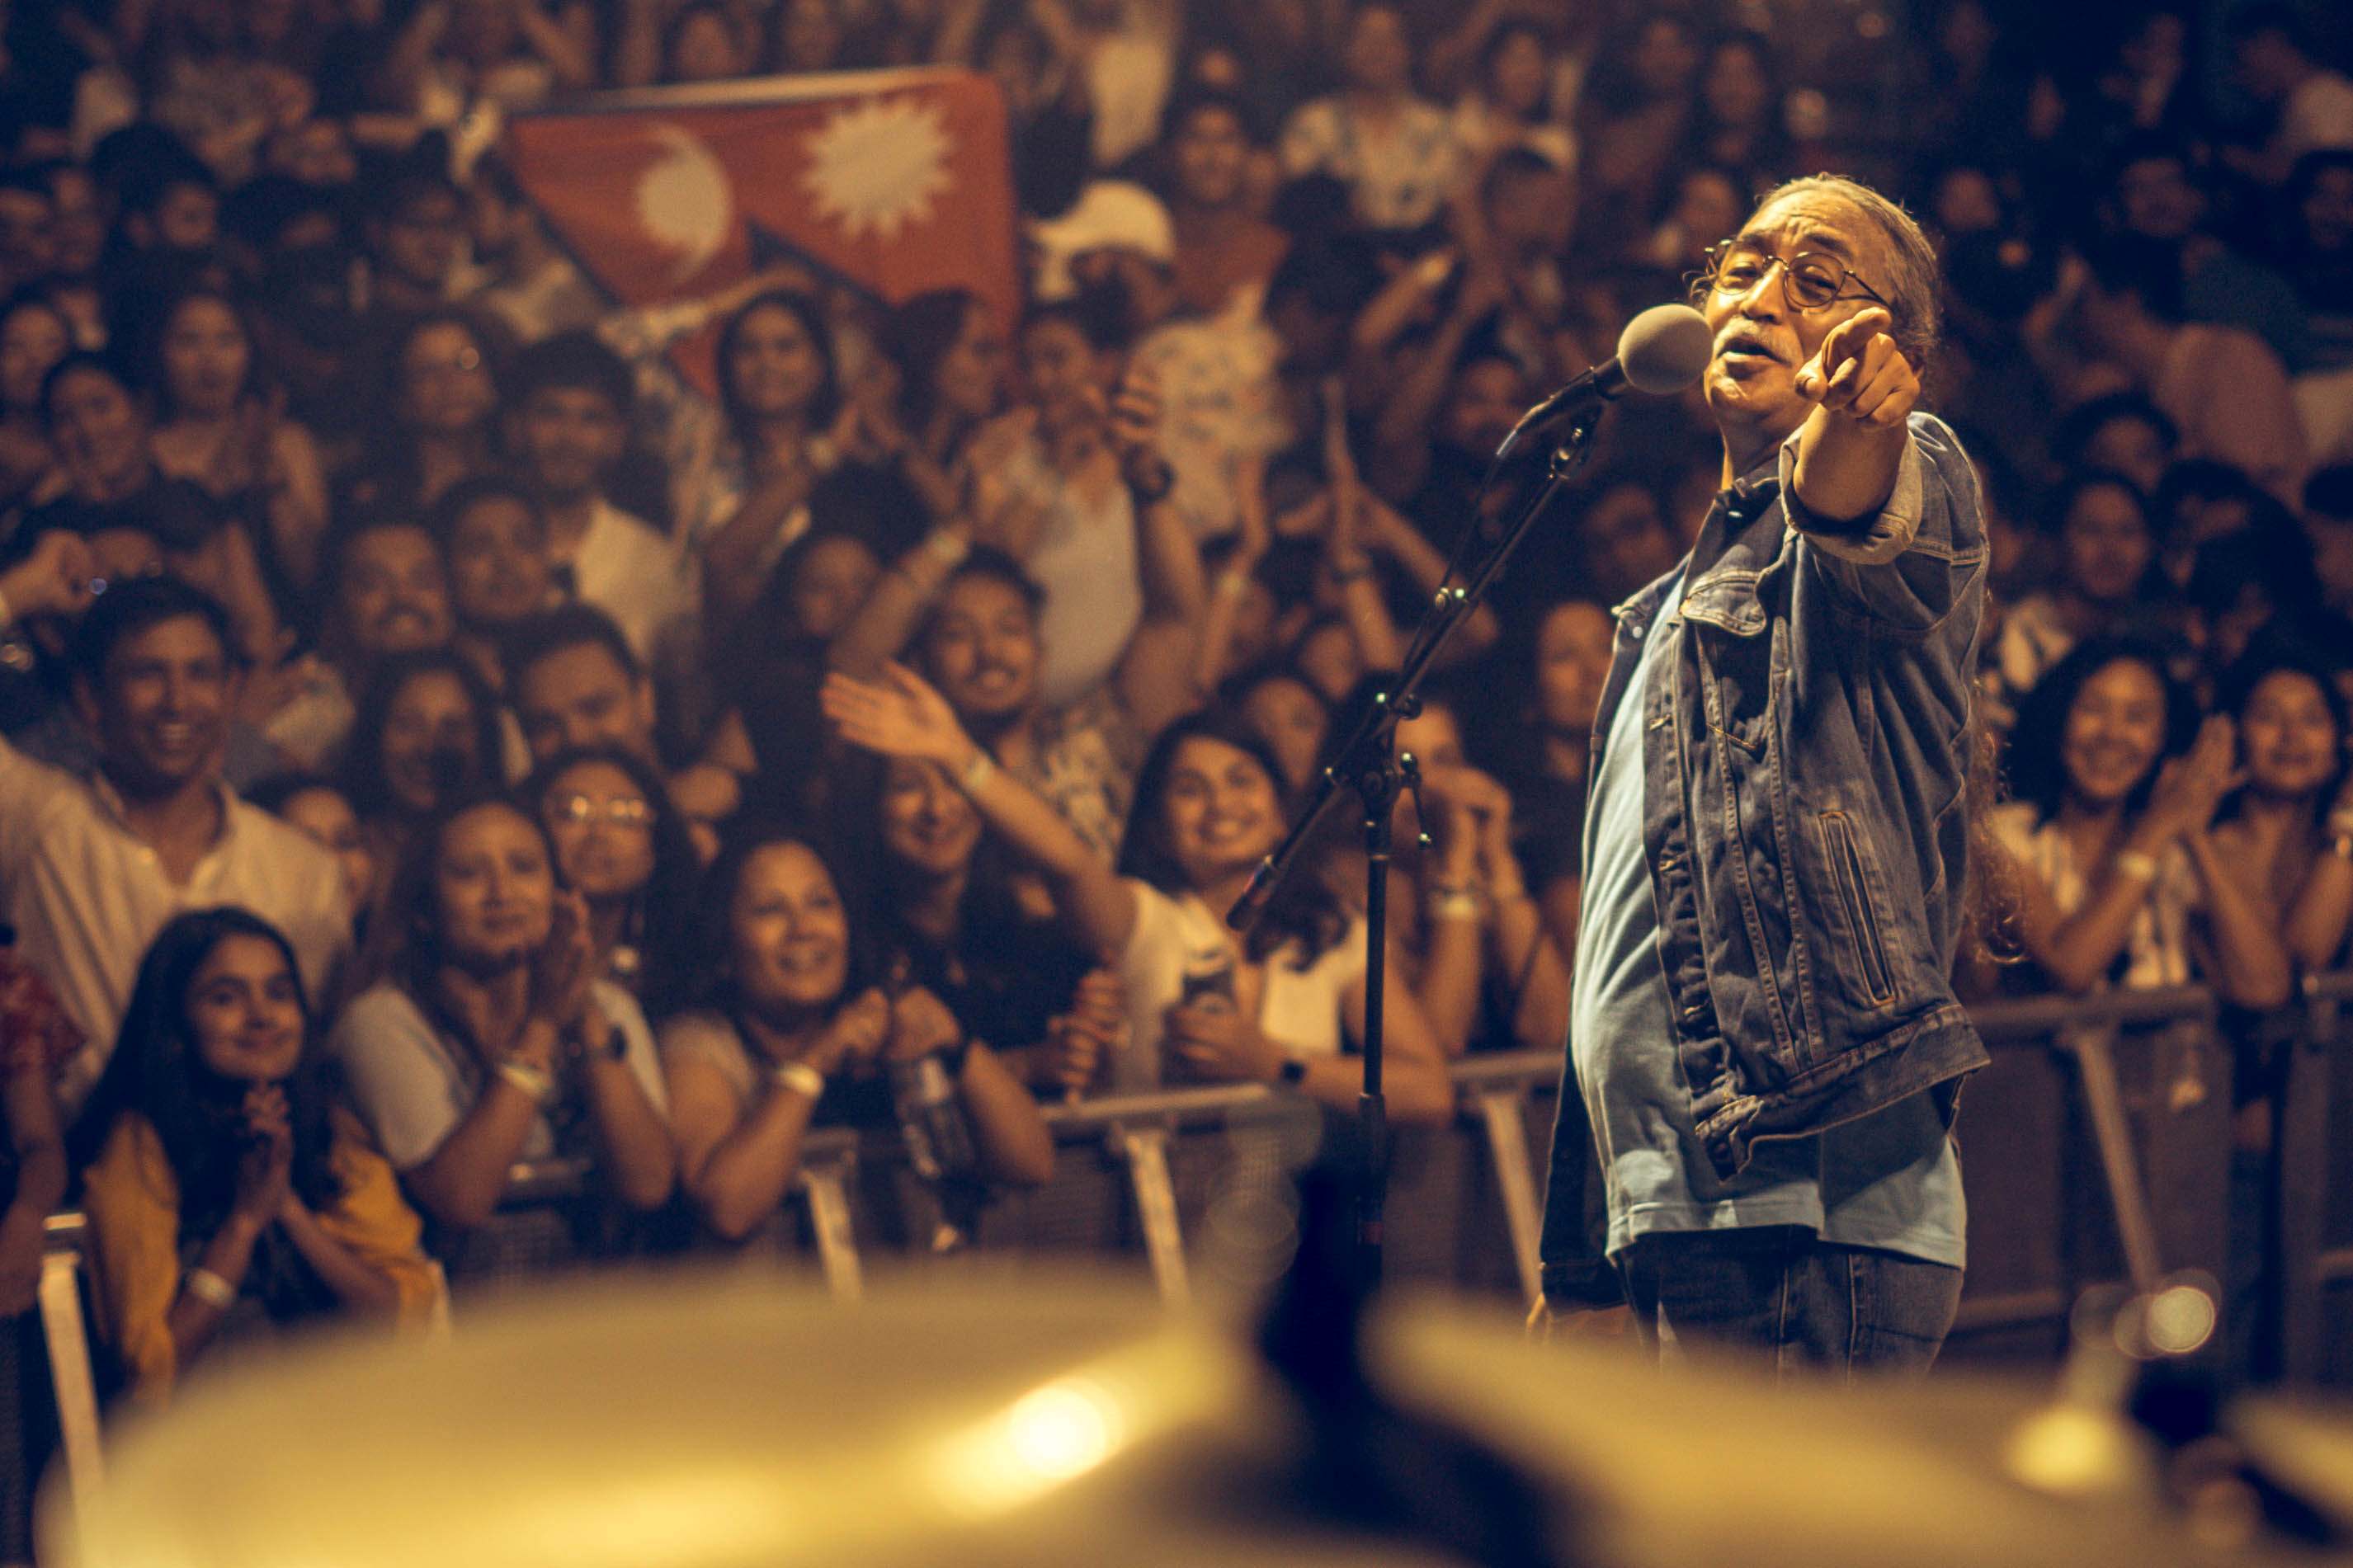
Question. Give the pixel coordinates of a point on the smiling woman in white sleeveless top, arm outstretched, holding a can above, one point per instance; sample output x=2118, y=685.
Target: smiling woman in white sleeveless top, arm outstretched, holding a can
x=1208, y=808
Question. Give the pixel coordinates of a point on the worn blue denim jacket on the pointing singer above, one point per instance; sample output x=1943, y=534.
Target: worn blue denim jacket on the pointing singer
x=1806, y=756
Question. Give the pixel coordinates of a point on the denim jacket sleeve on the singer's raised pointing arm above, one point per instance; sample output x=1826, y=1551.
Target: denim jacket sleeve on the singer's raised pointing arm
x=1909, y=565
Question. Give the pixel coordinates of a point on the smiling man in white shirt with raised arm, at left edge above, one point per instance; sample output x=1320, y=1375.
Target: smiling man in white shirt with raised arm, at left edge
x=91, y=871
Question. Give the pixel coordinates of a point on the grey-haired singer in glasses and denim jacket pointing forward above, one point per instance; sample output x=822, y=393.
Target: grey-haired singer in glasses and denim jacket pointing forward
x=1766, y=1047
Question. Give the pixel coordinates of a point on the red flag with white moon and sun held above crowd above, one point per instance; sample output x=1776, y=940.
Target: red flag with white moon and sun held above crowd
x=893, y=182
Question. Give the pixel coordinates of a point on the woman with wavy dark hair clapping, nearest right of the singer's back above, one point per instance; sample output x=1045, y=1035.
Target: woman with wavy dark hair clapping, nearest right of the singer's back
x=2117, y=866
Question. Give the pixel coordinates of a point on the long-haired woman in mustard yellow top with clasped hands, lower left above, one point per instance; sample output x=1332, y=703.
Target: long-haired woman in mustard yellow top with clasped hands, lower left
x=218, y=1170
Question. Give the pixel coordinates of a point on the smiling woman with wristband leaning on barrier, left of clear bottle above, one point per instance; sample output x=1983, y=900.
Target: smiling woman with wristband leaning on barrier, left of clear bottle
x=794, y=1031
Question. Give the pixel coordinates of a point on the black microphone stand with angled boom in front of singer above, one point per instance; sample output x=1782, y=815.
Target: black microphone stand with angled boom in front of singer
x=1375, y=772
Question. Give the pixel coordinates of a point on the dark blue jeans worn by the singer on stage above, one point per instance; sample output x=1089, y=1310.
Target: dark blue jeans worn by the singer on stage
x=1778, y=1296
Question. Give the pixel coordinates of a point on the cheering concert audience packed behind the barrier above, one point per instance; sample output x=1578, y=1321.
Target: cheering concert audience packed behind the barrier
x=441, y=737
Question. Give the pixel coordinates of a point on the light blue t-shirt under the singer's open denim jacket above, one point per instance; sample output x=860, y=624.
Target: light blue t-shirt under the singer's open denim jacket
x=1886, y=1181
